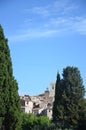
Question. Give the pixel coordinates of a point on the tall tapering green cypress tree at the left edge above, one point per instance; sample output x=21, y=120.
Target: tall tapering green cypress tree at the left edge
x=9, y=98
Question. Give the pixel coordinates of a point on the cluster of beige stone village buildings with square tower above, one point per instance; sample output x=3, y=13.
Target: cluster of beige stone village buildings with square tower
x=41, y=104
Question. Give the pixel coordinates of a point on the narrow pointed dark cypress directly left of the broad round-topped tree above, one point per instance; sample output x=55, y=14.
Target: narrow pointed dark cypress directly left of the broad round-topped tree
x=58, y=108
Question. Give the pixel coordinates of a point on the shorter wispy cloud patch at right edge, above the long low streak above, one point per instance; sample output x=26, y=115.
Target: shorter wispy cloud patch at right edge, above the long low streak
x=69, y=23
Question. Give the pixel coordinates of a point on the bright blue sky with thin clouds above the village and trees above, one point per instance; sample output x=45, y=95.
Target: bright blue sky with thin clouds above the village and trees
x=44, y=36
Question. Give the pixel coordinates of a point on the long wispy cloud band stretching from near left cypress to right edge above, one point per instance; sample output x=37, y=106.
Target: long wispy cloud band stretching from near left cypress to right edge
x=55, y=27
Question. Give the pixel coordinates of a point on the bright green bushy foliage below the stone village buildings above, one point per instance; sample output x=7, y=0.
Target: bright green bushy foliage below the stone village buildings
x=30, y=122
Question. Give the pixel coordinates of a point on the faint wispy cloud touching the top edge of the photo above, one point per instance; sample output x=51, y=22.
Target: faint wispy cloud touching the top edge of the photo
x=59, y=7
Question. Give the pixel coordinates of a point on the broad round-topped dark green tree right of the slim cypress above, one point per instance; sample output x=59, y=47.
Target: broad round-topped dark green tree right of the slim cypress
x=73, y=96
